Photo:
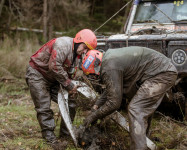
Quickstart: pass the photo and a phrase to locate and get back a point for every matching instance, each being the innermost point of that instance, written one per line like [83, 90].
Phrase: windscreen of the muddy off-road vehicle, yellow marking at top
[148, 12]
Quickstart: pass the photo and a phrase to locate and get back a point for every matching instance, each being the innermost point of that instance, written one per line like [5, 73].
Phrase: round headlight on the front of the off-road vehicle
[179, 57]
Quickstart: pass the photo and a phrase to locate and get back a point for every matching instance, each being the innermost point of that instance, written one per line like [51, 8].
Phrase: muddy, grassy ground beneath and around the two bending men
[19, 128]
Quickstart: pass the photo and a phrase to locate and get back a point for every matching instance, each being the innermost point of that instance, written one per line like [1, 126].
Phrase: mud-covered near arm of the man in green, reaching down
[113, 79]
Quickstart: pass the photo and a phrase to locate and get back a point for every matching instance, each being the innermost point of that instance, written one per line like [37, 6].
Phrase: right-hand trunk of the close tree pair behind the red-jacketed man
[50, 22]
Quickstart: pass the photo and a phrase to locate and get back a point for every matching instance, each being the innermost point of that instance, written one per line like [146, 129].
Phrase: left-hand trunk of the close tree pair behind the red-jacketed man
[45, 20]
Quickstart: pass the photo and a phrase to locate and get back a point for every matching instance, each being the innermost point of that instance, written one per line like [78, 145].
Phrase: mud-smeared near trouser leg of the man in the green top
[144, 103]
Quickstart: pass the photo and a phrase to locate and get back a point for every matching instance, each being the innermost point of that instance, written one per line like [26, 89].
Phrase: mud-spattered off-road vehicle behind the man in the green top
[162, 26]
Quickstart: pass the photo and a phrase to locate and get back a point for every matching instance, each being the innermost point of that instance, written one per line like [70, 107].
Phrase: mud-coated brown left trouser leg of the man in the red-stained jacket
[42, 92]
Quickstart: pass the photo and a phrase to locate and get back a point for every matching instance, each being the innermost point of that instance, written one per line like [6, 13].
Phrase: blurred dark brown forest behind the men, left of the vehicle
[47, 19]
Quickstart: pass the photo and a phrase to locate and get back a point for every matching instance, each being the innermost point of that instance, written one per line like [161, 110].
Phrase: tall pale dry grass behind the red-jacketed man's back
[14, 56]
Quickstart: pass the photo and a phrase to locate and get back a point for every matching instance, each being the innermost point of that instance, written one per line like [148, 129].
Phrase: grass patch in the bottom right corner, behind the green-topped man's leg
[171, 135]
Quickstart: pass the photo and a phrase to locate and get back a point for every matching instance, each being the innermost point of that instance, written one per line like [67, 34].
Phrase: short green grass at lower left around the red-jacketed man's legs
[19, 128]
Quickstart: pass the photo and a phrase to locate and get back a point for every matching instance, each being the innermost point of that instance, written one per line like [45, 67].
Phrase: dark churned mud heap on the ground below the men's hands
[104, 136]
